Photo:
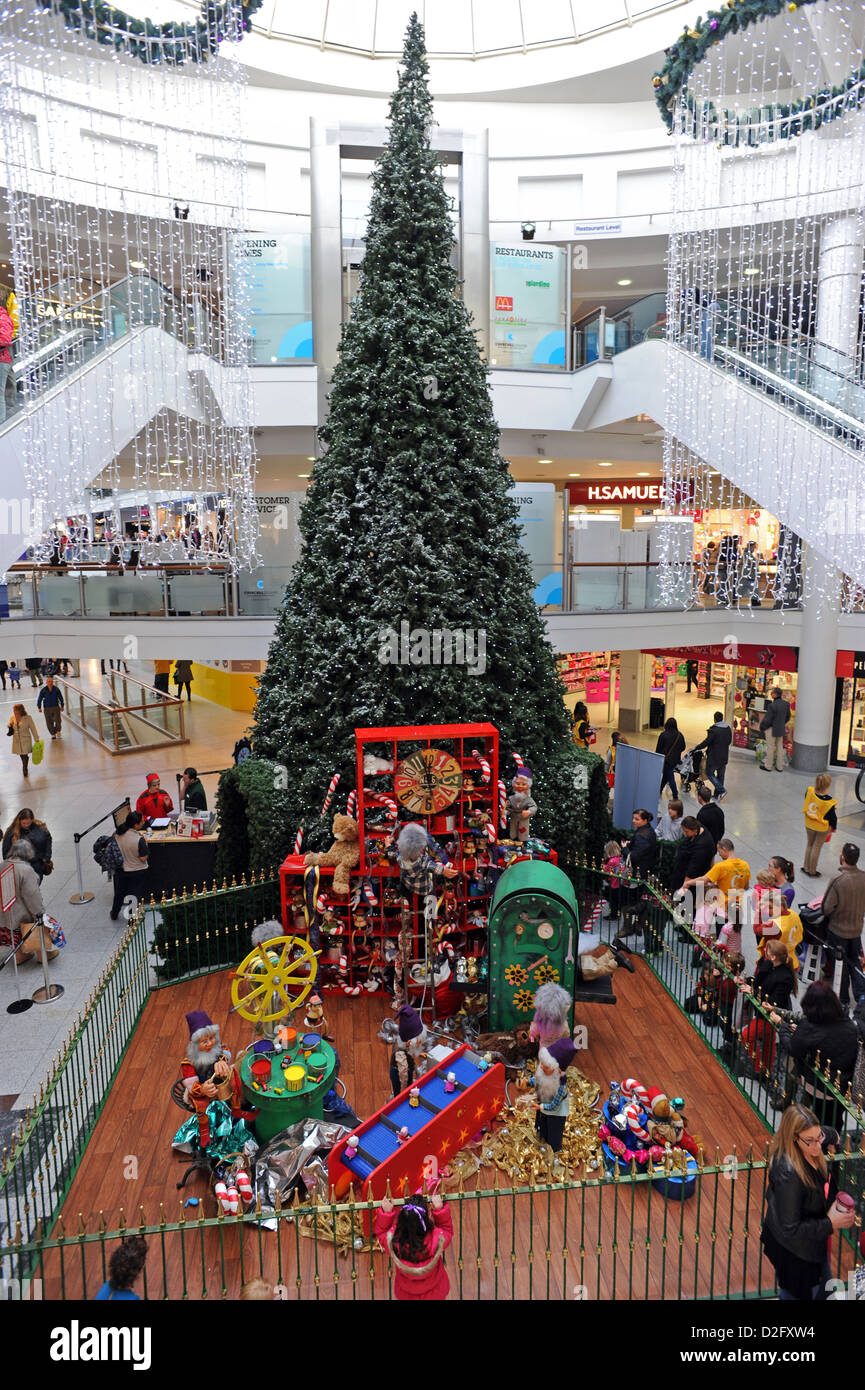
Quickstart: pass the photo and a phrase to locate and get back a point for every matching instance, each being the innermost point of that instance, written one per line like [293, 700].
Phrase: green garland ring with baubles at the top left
[170, 44]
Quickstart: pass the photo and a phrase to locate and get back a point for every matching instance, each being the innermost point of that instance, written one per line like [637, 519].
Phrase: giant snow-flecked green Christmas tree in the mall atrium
[408, 528]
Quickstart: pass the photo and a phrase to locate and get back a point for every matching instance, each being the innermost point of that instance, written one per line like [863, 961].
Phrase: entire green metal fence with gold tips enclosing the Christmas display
[606, 1238]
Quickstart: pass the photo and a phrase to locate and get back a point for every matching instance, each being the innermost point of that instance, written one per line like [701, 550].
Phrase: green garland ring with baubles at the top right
[764, 123]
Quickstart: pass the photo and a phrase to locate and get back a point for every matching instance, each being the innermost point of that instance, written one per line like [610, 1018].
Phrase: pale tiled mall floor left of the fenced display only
[76, 785]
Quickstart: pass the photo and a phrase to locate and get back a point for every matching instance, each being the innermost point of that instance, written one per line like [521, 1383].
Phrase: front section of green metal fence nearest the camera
[601, 1239]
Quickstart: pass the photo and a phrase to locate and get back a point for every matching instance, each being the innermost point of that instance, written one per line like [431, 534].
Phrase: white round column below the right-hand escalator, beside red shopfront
[816, 686]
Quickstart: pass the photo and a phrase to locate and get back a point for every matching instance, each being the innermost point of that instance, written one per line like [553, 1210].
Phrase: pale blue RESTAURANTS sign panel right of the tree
[528, 308]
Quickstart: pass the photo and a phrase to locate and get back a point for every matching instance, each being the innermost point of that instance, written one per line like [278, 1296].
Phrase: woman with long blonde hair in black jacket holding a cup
[802, 1213]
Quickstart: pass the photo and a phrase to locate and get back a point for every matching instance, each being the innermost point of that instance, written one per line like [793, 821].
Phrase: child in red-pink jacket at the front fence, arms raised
[417, 1241]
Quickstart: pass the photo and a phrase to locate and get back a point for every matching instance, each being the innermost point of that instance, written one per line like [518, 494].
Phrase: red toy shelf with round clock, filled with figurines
[444, 778]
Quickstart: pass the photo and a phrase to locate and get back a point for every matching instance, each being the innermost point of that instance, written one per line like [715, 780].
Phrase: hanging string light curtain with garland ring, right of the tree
[766, 297]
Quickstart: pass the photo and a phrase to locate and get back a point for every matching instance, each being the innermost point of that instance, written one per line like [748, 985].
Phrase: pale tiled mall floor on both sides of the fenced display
[79, 783]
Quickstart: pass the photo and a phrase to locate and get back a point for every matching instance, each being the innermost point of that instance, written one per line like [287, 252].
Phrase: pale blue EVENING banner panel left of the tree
[276, 276]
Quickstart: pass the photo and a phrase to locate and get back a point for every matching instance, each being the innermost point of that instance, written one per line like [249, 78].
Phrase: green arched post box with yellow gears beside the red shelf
[533, 939]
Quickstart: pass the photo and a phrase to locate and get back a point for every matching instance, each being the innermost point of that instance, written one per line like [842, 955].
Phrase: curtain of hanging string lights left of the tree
[126, 191]
